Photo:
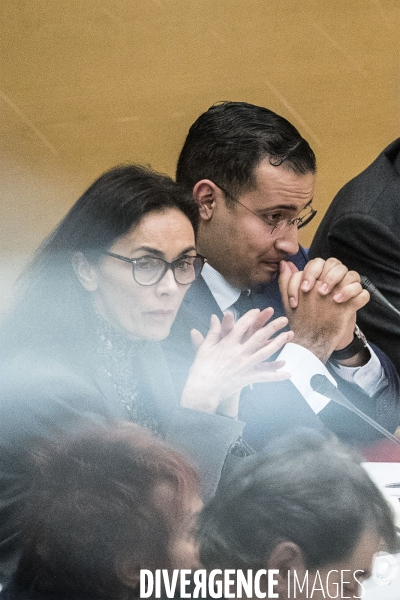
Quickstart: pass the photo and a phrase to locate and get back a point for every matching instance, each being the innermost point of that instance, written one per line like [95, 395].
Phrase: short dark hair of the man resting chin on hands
[227, 142]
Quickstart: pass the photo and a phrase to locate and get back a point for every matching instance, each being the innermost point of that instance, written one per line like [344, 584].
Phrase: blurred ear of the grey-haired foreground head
[286, 557]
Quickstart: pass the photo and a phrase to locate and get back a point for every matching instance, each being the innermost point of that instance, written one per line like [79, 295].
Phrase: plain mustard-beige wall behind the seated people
[87, 84]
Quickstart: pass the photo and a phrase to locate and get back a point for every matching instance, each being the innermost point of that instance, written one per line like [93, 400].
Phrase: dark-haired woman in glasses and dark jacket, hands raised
[81, 344]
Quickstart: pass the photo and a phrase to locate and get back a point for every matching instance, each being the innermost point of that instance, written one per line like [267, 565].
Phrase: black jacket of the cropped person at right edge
[362, 229]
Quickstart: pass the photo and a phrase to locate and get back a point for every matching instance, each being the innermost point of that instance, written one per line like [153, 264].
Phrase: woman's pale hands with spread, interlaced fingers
[232, 356]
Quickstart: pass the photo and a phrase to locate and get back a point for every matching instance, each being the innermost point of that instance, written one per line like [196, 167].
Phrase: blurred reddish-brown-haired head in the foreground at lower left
[102, 506]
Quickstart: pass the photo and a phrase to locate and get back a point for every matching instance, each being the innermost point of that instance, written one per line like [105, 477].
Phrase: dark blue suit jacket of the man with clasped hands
[269, 409]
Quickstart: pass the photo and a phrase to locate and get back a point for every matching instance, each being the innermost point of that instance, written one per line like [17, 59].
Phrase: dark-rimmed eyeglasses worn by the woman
[149, 270]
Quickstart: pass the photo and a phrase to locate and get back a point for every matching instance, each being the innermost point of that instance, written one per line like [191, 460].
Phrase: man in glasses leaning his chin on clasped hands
[252, 176]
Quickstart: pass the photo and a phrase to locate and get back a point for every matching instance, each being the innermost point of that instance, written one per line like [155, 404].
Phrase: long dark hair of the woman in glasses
[51, 308]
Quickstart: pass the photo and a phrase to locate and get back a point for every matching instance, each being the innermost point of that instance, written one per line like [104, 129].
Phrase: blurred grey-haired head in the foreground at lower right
[304, 505]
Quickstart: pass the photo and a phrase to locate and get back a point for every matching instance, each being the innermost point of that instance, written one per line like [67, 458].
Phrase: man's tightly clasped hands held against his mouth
[321, 303]
